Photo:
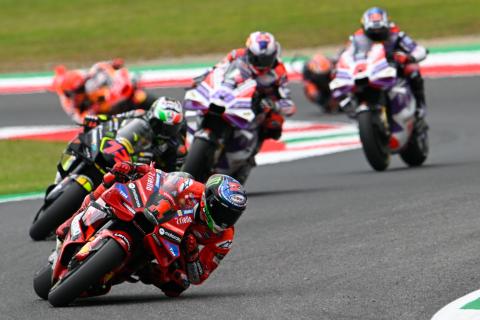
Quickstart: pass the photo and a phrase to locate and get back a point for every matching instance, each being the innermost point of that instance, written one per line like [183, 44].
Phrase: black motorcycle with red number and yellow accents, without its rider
[81, 168]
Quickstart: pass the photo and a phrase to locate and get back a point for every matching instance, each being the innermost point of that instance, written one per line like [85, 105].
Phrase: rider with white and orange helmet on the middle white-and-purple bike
[260, 60]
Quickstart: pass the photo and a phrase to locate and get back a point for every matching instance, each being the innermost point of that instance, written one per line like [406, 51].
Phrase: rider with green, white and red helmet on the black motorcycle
[155, 135]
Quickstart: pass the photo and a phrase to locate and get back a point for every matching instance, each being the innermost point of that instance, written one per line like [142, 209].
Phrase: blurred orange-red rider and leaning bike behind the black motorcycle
[82, 93]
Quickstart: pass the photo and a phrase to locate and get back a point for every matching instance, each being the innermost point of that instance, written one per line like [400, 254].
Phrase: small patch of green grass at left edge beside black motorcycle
[28, 165]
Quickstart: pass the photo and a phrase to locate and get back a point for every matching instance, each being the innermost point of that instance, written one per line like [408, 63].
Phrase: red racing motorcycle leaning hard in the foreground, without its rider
[113, 238]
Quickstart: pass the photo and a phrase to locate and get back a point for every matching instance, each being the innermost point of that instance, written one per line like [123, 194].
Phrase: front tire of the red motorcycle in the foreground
[99, 263]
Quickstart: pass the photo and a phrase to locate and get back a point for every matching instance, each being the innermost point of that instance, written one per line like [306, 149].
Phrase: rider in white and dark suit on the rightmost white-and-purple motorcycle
[376, 27]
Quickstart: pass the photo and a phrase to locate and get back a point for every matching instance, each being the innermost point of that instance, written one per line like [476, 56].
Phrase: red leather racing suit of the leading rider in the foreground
[198, 262]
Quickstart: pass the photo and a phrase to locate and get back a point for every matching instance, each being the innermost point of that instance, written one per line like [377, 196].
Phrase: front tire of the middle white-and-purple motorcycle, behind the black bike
[198, 161]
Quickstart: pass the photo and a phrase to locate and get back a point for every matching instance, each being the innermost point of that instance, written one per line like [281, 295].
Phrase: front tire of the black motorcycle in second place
[58, 212]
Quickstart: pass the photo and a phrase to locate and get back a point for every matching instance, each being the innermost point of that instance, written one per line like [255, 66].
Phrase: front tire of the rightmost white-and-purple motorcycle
[374, 149]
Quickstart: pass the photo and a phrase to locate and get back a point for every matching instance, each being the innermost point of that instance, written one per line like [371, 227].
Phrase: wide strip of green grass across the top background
[35, 35]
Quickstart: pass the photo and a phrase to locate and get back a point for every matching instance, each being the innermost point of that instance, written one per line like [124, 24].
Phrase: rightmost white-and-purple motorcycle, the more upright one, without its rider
[383, 104]
